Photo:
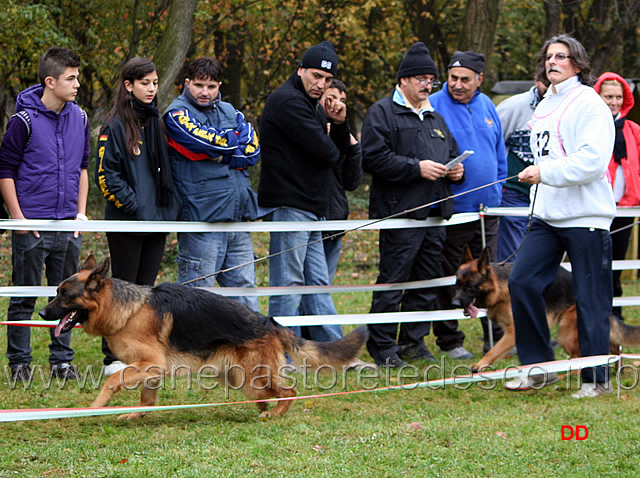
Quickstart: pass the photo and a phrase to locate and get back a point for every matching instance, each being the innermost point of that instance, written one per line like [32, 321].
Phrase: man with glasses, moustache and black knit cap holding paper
[405, 146]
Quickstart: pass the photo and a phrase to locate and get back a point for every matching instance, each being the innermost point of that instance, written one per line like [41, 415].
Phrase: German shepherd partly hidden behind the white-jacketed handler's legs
[482, 284]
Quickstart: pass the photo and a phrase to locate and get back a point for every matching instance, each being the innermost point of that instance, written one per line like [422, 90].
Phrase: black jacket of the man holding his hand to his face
[297, 154]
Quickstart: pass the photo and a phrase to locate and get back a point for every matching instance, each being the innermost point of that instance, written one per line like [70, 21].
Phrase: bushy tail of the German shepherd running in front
[315, 354]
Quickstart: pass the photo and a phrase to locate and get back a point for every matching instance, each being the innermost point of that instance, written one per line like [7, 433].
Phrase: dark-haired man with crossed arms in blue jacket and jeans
[211, 149]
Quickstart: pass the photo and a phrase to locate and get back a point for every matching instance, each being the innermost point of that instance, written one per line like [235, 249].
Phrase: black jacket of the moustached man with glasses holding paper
[394, 141]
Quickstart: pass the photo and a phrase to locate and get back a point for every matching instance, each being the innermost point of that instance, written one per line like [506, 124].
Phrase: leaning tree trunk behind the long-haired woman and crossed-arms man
[173, 47]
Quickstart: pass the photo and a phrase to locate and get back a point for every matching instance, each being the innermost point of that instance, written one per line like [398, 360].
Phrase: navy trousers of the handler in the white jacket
[590, 253]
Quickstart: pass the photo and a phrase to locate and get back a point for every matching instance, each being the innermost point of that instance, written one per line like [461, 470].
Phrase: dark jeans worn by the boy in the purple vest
[57, 253]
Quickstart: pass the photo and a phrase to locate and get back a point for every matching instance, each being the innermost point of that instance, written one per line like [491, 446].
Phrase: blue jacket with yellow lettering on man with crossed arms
[211, 148]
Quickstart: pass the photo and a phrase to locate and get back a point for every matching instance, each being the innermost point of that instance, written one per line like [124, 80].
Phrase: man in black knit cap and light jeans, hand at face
[298, 154]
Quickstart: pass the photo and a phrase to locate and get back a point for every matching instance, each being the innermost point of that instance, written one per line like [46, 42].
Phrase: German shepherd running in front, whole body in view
[172, 328]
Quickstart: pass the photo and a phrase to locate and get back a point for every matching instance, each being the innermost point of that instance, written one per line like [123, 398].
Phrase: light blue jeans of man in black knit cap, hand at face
[306, 265]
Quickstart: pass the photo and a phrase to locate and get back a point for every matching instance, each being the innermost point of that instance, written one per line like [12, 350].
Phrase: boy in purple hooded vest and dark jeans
[43, 175]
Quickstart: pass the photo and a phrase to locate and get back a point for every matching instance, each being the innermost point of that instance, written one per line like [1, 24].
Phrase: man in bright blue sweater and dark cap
[474, 122]
